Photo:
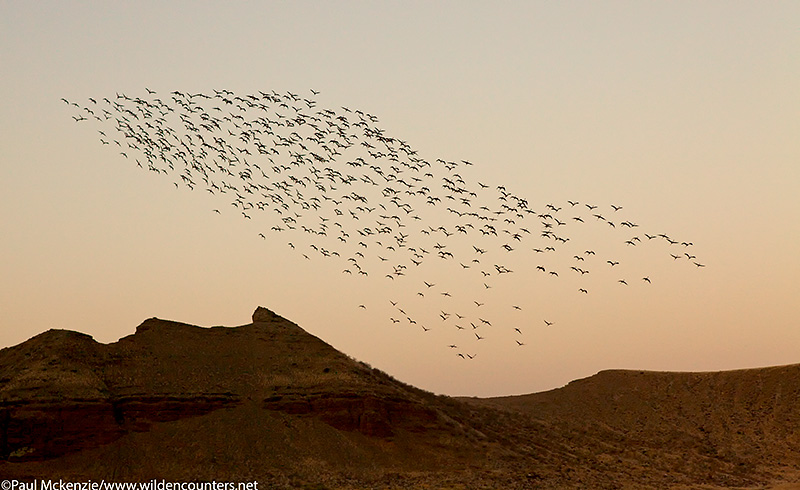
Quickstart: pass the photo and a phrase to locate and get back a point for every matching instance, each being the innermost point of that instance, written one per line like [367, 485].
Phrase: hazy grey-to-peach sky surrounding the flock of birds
[685, 114]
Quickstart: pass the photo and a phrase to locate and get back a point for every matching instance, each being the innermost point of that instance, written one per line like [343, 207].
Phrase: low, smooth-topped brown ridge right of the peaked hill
[748, 417]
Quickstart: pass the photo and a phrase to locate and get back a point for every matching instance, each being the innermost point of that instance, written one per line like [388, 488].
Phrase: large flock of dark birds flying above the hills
[337, 186]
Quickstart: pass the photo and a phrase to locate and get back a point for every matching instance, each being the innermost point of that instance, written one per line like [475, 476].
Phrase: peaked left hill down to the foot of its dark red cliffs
[62, 392]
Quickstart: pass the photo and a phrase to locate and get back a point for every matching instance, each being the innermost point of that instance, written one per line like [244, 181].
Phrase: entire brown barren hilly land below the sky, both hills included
[270, 402]
